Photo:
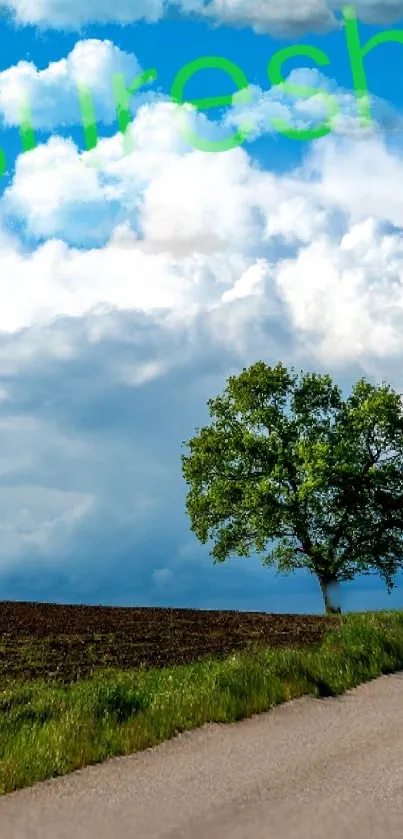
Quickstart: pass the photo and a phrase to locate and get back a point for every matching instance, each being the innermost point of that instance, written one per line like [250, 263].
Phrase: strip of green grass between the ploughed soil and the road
[50, 729]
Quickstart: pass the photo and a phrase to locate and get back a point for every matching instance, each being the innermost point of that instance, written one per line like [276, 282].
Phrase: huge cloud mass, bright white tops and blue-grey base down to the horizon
[109, 351]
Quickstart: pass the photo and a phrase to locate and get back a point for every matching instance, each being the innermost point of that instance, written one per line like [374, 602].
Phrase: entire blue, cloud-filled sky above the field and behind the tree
[134, 280]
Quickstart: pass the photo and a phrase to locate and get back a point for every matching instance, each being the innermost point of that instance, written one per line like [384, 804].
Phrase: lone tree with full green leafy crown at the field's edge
[288, 461]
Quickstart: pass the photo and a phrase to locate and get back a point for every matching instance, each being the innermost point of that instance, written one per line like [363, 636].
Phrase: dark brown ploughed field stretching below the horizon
[68, 642]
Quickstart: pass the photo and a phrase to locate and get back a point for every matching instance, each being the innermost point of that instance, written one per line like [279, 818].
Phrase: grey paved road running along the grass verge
[308, 769]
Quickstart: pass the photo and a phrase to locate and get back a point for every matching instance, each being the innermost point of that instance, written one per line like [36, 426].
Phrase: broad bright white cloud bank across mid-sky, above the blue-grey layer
[197, 230]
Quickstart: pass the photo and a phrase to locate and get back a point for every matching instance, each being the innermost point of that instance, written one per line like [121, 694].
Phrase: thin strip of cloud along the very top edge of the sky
[263, 16]
